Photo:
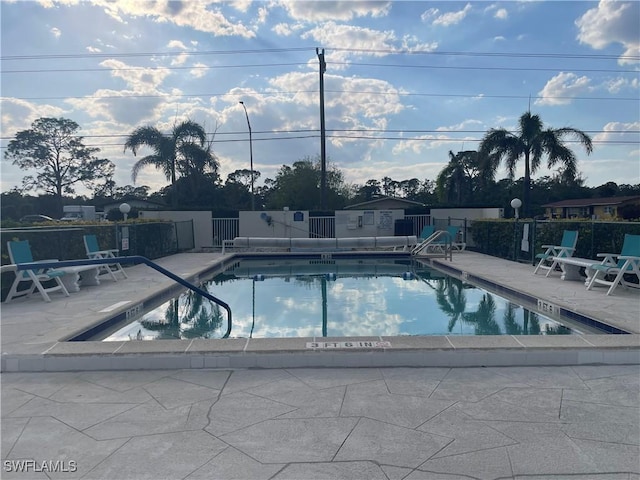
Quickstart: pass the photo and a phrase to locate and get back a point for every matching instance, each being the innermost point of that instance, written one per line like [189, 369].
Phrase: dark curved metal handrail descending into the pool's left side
[132, 259]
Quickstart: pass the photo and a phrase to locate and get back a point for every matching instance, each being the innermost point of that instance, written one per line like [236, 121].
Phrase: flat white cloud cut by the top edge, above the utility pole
[334, 10]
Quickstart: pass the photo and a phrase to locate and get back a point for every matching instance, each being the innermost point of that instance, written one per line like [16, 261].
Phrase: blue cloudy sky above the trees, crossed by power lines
[405, 81]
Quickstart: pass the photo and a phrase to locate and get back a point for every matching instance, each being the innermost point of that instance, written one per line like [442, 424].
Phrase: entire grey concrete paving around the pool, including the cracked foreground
[160, 421]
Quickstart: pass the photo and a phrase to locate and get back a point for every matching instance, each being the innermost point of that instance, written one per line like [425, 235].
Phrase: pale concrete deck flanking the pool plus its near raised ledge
[33, 332]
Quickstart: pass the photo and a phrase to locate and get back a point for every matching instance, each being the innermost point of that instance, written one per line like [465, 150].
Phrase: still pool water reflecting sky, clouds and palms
[274, 298]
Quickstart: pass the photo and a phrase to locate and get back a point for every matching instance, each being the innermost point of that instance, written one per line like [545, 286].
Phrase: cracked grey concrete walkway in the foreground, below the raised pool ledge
[565, 423]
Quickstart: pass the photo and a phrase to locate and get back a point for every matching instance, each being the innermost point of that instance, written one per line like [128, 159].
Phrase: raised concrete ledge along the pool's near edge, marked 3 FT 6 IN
[409, 351]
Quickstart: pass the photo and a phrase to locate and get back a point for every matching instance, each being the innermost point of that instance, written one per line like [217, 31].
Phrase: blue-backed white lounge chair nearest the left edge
[20, 252]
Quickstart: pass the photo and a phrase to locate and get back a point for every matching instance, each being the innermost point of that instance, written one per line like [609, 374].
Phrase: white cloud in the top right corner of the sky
[612, 22]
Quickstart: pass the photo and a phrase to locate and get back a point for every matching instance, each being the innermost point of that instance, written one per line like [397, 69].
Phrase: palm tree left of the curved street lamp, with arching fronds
[168, 150]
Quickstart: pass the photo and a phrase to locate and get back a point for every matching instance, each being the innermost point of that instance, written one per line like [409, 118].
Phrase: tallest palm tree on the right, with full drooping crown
[532, 142]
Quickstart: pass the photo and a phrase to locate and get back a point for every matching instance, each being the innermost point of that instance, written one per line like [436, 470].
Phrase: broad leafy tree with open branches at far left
[52, 147]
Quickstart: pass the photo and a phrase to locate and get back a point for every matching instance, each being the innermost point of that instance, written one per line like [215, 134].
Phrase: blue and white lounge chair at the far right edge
[627, 263]
